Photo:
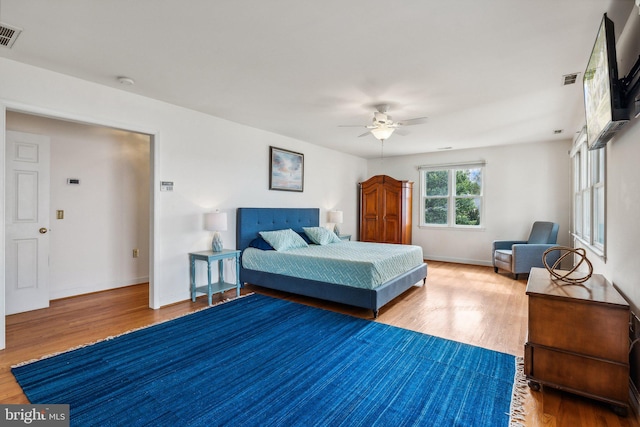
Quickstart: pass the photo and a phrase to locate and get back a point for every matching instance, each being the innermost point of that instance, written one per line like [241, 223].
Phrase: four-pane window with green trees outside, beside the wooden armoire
[451, 195]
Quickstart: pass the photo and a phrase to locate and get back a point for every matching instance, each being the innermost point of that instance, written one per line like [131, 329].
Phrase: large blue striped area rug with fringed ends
[261, 361]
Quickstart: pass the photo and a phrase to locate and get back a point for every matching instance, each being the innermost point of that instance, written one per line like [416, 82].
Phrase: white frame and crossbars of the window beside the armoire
[451, 197]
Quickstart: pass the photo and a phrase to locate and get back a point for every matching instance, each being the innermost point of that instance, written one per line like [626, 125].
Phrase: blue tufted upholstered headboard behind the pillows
[250, 221]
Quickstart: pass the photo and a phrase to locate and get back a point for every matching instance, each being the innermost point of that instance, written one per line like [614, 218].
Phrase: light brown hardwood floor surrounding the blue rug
[464, 303]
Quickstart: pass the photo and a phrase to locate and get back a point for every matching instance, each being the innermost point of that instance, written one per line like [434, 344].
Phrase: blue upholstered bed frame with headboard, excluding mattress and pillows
[252, 221]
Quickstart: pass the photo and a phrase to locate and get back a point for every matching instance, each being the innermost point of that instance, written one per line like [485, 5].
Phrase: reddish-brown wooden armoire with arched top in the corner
[385, 210]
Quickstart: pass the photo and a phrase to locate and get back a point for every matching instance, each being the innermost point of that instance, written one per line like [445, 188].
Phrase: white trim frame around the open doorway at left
[154, 297]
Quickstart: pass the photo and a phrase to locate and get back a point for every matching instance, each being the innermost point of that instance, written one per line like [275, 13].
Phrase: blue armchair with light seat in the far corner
[518, 256]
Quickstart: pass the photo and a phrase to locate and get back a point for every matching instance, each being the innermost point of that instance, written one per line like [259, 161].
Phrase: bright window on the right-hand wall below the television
[589, 195]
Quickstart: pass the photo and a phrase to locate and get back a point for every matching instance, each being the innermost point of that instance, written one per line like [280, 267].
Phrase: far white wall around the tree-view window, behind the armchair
[523, 183]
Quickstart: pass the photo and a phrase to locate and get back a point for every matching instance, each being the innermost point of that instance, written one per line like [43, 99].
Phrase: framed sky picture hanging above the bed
[286, 170]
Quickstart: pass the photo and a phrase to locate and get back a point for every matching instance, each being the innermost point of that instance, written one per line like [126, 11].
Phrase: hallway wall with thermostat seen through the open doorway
[106, 216]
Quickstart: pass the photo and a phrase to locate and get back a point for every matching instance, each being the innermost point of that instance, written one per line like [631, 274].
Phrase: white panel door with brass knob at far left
[27, 222]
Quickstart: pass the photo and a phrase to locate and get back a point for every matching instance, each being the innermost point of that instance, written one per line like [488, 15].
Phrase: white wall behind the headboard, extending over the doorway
[214, 163]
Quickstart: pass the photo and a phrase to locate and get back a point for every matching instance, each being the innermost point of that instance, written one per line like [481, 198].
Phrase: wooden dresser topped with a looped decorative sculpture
[578, 338]
